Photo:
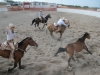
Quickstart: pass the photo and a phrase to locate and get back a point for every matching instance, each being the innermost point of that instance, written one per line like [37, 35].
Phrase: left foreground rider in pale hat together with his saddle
[10, 41]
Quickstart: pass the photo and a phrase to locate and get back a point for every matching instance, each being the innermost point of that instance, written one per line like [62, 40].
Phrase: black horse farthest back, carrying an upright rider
[37, 20]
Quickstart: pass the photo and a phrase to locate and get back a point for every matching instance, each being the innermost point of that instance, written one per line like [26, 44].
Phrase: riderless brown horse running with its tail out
[77, 46]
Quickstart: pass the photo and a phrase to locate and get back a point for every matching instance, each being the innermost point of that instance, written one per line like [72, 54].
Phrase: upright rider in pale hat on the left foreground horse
[10, 39]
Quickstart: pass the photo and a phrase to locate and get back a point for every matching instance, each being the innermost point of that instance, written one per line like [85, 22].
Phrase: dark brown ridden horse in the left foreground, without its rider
[18, 54]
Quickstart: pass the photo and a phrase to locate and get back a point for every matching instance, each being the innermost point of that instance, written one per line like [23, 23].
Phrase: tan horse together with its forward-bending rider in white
[59, 27]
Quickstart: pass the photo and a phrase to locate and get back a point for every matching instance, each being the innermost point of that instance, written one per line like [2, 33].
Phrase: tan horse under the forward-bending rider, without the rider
[53, 28]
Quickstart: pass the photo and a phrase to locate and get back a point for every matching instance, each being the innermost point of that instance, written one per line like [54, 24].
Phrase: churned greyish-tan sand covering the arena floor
[42, 61]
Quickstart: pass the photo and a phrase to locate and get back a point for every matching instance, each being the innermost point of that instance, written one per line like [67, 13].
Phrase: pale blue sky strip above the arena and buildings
[90, 3]
